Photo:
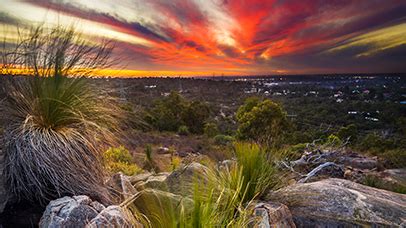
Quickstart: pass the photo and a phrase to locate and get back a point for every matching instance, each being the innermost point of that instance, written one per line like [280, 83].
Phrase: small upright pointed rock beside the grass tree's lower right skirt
[120, 187]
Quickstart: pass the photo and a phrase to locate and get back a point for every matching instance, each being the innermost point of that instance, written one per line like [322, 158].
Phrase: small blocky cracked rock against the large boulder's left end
[274, 215]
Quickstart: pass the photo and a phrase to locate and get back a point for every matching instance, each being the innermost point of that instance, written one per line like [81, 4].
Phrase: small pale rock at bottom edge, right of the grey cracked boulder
[112, 216]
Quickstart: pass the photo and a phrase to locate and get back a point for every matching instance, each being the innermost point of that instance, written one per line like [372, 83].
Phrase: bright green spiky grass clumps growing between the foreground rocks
[223, 200]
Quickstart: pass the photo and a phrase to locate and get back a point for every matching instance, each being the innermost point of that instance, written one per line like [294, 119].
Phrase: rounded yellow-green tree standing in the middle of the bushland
[265, 122]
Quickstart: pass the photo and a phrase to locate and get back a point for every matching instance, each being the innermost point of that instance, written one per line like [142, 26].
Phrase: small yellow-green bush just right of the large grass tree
[119, 159]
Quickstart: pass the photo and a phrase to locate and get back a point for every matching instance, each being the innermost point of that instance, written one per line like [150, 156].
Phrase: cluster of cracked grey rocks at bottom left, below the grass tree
[81, 211]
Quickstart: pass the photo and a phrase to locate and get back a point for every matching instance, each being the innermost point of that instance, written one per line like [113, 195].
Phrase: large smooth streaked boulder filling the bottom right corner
[341, 203]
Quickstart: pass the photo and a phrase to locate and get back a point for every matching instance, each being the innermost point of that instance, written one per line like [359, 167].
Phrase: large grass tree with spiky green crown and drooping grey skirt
[56, 123]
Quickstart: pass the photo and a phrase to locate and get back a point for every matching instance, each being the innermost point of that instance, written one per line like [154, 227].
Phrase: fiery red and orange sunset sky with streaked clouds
[231, 37]
